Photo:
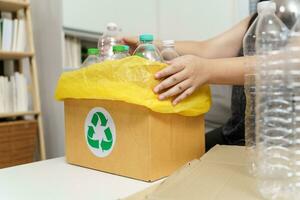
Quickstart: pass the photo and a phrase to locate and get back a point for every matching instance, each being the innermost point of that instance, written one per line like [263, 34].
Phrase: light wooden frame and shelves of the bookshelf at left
[13, 6]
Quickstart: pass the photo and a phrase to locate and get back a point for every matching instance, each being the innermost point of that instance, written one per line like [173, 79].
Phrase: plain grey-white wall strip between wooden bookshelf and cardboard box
[47, 30]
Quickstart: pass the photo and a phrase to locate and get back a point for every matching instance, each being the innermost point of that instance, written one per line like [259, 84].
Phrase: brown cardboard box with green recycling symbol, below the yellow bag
[140, 144]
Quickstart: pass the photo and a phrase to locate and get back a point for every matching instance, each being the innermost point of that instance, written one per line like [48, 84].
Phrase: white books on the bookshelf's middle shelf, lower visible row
[13, 93]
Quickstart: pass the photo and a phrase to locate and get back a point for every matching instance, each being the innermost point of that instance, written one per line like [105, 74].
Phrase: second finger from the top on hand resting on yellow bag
[170, 81]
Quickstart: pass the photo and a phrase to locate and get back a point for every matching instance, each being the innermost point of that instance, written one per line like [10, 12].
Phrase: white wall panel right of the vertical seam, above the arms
[194, 19]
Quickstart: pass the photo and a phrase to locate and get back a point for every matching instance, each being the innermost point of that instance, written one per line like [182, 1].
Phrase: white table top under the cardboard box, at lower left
[55, 179]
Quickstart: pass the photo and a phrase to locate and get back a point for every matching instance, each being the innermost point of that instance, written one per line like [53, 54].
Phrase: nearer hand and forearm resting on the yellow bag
[185, 74]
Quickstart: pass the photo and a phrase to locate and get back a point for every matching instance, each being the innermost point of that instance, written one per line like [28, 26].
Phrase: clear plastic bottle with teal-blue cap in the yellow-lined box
[146, 49]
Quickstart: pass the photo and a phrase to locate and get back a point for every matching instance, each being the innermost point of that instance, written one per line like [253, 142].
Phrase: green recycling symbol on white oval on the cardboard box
[100, 132]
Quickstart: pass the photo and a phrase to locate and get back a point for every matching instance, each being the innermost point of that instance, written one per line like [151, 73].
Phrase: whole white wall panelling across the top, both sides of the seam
[178, 19]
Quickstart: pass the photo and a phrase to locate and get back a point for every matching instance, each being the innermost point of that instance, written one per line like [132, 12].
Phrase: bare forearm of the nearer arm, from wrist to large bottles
[228, 71]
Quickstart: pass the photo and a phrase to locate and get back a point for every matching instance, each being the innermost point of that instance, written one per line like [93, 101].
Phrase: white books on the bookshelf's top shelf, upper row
[12, 32]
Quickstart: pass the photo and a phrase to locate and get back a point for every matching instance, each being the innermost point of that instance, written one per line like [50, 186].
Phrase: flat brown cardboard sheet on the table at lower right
[220, 174]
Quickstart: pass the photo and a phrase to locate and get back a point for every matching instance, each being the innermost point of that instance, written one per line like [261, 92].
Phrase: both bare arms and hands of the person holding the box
[186, 73]
